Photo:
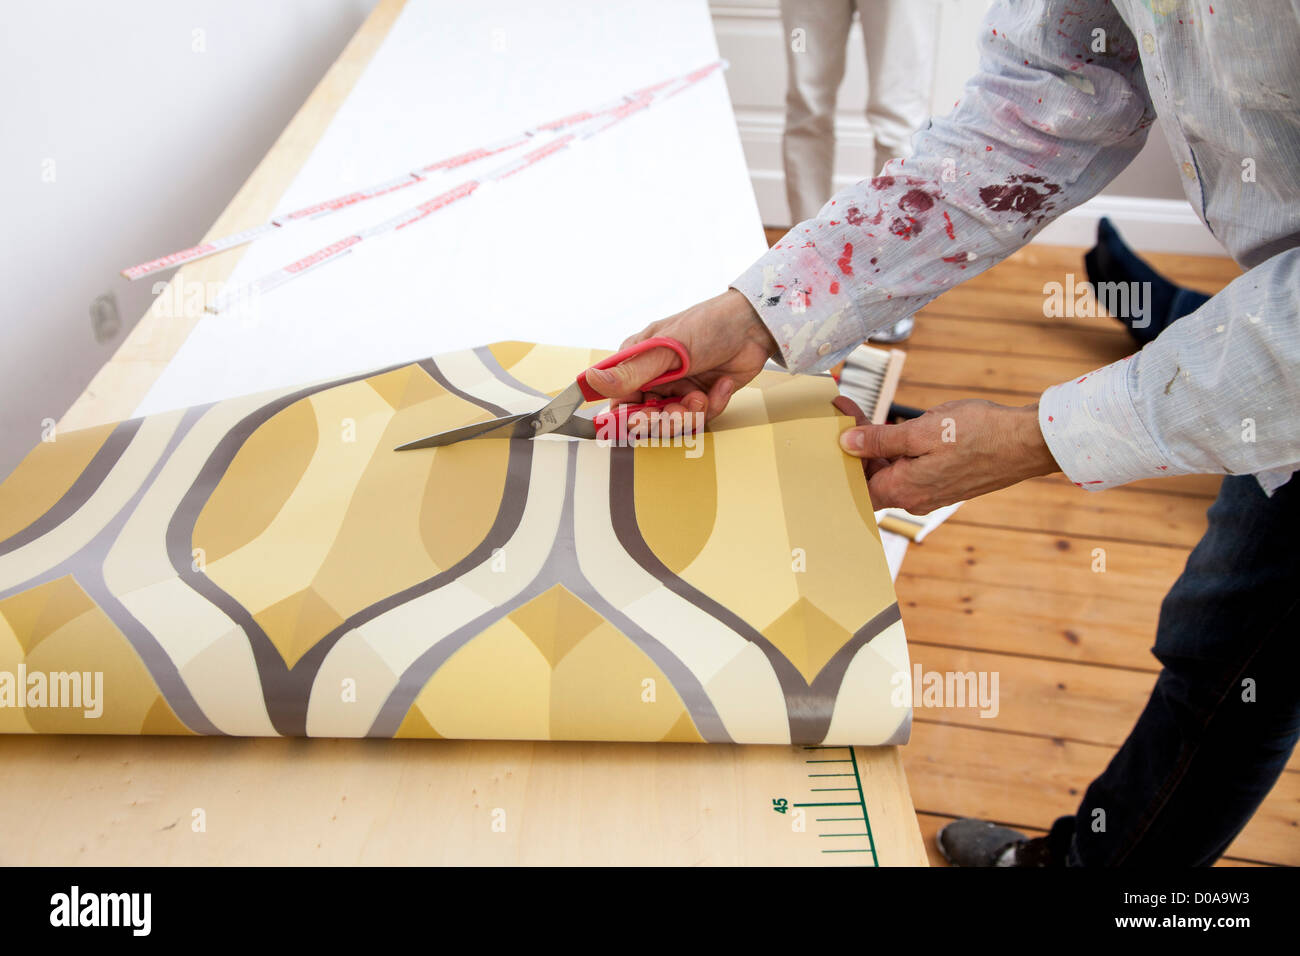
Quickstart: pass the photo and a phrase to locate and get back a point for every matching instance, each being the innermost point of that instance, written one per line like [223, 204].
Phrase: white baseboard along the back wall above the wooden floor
[1150, 226]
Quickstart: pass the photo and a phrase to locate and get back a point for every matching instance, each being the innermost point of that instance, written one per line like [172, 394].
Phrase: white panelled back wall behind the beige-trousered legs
[1147, 200]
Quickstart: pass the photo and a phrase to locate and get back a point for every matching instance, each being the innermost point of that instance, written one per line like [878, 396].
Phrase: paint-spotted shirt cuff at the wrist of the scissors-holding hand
[813, 330]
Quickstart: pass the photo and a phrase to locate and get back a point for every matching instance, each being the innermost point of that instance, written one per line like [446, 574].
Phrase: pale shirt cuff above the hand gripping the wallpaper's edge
[1093, 430]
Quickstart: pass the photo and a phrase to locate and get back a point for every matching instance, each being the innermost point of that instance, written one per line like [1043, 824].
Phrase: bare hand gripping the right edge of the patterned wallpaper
[955, 452]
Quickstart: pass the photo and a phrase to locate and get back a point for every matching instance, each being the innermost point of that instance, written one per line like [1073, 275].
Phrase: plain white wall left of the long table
[146, 129]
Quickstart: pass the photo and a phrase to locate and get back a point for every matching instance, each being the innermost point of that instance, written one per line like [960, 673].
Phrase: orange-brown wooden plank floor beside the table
[1008, 586]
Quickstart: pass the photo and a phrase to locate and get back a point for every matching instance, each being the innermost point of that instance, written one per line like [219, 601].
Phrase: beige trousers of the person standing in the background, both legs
[900, 38]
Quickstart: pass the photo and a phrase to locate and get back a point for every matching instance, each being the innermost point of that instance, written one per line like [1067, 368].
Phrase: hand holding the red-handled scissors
[727, 344]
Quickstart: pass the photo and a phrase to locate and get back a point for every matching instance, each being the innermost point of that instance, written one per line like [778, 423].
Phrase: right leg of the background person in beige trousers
[900, 38]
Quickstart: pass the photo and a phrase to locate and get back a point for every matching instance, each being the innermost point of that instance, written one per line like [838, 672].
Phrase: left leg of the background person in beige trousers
[817, 34]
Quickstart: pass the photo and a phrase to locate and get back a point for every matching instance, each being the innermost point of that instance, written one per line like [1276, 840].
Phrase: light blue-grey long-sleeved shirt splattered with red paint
[1063, 102]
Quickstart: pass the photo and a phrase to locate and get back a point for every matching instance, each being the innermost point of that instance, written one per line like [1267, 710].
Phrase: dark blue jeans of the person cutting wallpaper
[1225, 713]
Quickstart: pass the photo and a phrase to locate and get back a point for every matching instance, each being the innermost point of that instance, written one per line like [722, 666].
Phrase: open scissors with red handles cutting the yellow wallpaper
[560, 416]
